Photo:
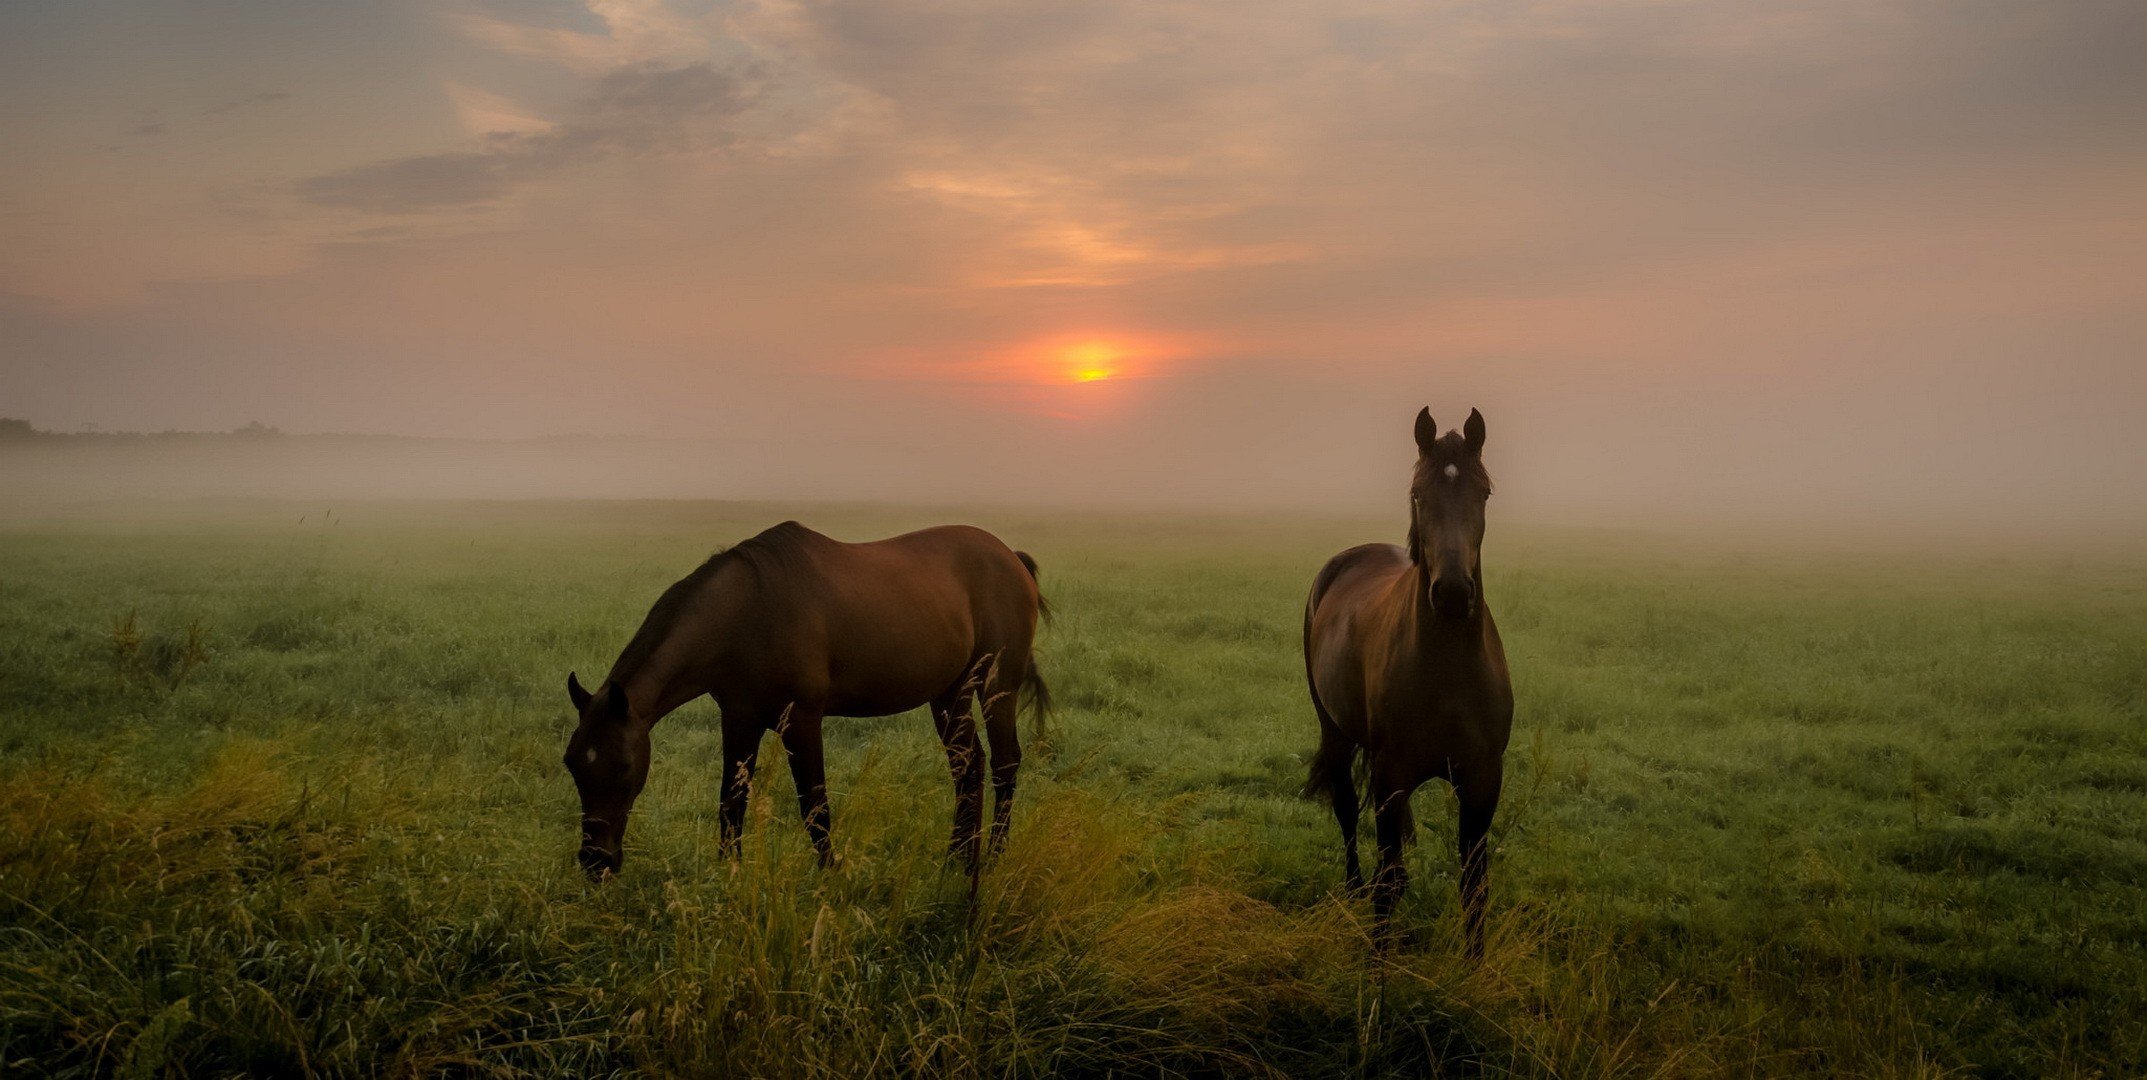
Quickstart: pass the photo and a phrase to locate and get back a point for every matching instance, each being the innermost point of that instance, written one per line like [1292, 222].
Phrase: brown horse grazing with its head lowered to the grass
[791, 628]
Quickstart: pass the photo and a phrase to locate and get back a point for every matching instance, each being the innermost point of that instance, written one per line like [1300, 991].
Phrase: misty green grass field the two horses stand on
[280, 793]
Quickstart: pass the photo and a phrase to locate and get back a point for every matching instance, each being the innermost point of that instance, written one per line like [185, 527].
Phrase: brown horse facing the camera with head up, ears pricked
[1405, 665]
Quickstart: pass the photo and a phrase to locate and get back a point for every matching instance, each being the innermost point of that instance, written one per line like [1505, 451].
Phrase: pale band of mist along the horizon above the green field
[1354, 471]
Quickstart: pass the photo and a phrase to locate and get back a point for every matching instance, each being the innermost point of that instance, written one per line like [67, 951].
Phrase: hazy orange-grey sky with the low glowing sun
[1830, 254]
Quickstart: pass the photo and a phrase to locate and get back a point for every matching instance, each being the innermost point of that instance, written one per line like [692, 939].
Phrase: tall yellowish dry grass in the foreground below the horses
[272, 920]
